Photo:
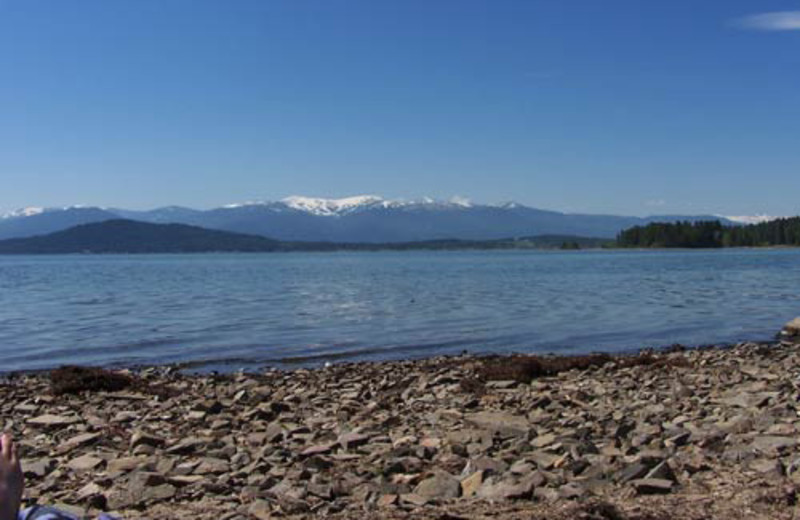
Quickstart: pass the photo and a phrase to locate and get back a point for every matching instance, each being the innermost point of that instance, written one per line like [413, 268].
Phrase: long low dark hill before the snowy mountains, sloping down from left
[128, 236]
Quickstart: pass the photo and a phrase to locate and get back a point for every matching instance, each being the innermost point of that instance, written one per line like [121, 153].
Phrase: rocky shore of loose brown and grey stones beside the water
[680, 433]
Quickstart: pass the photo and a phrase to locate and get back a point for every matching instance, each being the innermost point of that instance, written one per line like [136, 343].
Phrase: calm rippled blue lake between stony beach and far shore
[235, 311]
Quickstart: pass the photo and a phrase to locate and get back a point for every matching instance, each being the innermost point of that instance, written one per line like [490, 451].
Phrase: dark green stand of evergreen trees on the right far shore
[780, 232]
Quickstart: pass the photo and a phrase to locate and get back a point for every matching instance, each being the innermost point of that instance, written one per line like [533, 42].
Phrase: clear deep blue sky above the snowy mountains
[619, 106]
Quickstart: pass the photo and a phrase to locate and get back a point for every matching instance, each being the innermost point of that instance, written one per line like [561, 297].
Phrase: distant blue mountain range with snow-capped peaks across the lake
[364, 219]
